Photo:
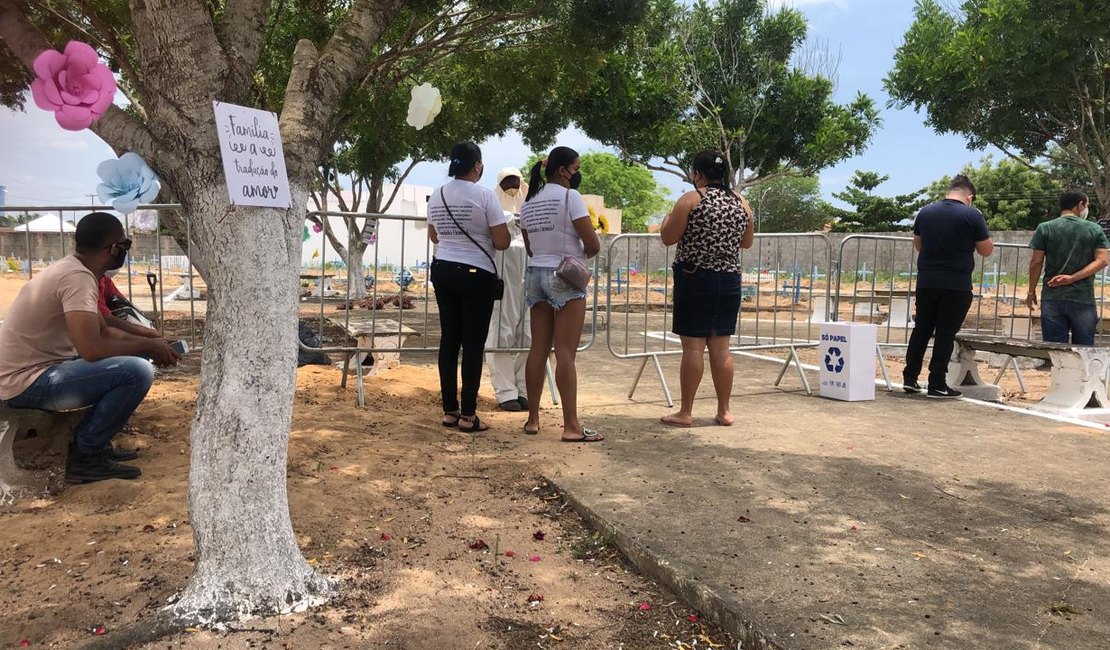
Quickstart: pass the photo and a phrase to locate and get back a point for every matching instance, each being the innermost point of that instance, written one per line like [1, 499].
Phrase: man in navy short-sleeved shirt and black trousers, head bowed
[947, 235]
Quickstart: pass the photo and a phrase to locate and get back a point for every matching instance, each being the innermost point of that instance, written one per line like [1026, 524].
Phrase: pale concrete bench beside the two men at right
[1079, 373]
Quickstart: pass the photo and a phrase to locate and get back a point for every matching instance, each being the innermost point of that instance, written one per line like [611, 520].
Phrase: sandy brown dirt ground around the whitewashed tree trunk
[441, 540]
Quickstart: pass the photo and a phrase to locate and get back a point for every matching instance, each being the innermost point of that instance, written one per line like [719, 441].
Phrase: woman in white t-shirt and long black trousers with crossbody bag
[467, 225]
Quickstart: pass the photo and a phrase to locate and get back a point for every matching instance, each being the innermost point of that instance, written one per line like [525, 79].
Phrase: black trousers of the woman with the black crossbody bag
[465, 296]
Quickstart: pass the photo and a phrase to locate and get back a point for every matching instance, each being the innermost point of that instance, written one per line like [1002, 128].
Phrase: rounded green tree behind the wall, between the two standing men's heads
[1012, 196]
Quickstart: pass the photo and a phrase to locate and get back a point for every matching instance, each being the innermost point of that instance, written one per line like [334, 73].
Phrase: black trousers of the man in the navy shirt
[939, 314]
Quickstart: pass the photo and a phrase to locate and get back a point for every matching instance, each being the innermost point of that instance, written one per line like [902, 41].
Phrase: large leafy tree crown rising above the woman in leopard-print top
[721, 76]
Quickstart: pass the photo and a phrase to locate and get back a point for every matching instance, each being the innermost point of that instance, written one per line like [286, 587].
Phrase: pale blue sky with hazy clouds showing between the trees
[43, 165]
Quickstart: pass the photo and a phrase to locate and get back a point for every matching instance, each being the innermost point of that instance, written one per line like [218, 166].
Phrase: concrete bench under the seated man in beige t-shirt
[49, 429]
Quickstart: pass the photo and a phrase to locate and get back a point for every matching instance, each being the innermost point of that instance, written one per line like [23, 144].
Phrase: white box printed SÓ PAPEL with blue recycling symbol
[846, 358]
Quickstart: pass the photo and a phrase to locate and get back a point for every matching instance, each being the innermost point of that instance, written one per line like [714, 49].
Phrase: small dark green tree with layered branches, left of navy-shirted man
[874, 214]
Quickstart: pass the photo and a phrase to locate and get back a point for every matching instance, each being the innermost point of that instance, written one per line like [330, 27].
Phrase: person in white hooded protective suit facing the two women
[507, 328]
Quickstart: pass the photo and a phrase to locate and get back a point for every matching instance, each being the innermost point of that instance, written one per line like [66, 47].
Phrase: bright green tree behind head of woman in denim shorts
[630, 188]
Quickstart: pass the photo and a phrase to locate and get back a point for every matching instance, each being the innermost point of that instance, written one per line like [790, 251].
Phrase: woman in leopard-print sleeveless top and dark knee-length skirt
[711, 226]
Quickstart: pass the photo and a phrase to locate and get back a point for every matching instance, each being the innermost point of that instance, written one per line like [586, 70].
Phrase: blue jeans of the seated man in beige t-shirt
[114, 388]
